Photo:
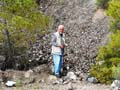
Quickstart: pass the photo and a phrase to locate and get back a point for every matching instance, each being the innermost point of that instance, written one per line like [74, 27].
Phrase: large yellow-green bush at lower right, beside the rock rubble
[107, 65]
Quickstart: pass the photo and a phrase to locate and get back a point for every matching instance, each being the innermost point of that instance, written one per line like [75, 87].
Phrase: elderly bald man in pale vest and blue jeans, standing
[58, 44]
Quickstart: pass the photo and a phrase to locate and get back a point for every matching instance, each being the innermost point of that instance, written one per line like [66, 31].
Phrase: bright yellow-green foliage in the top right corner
[114, 13]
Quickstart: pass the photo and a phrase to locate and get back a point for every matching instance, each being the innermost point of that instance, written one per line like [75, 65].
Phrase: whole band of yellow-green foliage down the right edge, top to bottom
[107, 67]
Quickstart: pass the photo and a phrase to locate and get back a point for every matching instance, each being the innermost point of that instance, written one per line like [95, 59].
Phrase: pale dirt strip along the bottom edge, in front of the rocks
[75, 86]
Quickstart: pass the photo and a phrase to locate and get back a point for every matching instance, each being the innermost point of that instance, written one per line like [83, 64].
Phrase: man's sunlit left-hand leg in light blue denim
[56, 60]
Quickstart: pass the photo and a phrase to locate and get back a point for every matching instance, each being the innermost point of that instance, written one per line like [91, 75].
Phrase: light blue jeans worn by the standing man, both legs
[57, 60]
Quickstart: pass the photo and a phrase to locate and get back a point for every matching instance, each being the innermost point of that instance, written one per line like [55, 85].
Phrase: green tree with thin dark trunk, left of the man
[20, 22]
